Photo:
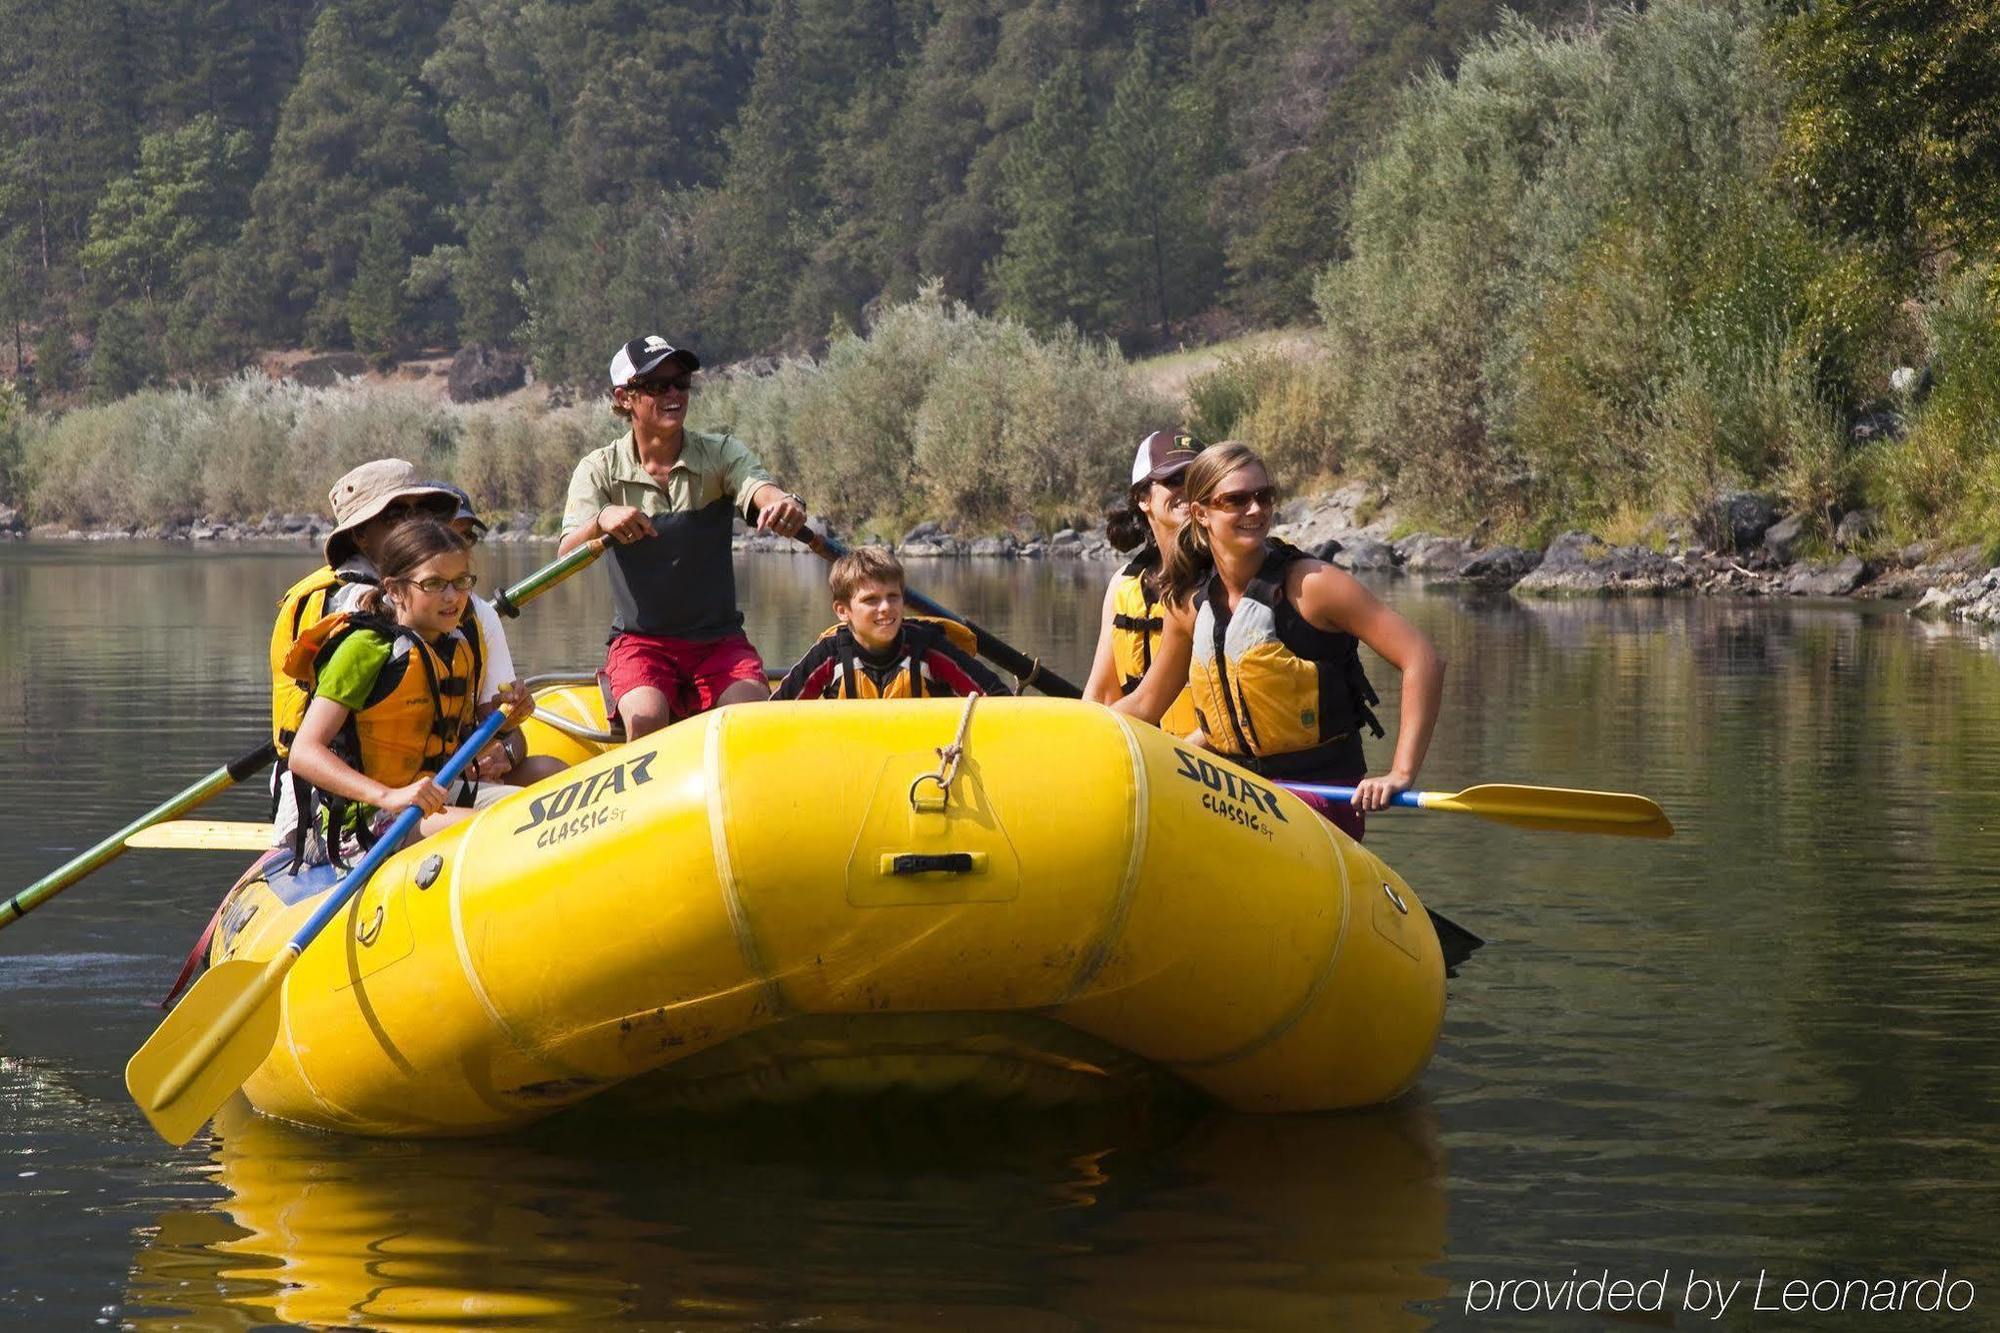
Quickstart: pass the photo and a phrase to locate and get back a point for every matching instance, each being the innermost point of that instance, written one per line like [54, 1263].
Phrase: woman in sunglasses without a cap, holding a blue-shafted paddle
[1269, 643]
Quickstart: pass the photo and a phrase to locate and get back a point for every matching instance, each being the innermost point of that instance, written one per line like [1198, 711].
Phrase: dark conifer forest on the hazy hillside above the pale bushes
[185, 181]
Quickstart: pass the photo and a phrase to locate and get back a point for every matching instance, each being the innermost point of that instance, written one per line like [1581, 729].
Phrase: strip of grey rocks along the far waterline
[1743, 549]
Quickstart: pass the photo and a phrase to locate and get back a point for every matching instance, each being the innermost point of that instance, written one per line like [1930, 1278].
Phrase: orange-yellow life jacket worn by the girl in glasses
[417, 724]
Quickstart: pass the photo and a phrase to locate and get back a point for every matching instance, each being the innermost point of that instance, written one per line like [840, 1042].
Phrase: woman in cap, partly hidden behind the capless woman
[1129, 633]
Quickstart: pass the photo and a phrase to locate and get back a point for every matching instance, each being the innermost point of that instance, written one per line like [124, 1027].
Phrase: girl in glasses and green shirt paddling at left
[389, 700]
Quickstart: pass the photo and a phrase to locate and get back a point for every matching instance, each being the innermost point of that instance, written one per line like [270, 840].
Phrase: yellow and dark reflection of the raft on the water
[871, 1214]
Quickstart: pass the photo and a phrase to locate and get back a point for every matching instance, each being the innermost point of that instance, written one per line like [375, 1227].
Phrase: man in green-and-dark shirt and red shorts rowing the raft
[667, 497]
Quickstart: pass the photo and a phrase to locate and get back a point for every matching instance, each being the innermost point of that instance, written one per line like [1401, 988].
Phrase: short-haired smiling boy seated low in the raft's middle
[879, 653]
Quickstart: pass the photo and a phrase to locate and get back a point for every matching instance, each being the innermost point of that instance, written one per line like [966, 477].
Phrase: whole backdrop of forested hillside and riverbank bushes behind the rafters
[1569, 267]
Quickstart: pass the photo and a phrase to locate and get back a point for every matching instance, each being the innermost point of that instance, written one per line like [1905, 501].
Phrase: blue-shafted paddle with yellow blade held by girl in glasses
[229, 1022]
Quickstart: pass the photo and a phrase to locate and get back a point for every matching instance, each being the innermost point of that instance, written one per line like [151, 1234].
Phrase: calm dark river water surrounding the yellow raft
[1767, 1048]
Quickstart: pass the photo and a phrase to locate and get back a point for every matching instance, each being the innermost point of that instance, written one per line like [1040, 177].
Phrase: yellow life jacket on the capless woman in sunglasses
[1267, 682]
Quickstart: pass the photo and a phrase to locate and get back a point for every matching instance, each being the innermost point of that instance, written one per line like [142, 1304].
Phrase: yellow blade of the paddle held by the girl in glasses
[209, 1046]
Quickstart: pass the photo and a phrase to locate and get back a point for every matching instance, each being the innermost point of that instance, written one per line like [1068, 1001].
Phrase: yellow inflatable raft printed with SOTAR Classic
[779, 898]
